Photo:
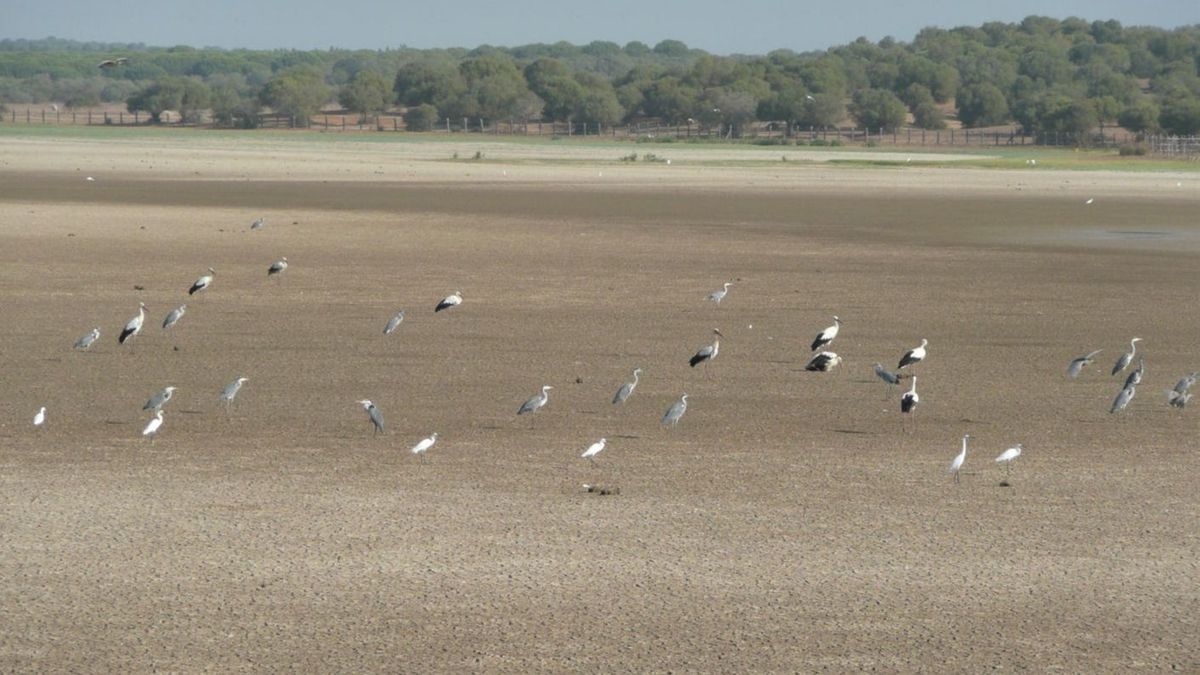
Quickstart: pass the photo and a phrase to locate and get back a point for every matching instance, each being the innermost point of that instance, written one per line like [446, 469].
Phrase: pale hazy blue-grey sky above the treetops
[752, 27]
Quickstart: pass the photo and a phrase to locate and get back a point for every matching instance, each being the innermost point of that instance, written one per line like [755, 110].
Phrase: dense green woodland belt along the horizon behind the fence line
[1042, 74]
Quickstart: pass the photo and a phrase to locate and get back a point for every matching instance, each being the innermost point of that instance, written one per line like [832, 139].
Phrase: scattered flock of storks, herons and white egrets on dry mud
[823, 361]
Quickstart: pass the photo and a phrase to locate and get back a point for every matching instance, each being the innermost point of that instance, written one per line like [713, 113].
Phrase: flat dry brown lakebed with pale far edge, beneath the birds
[791, 522]
